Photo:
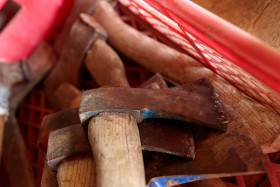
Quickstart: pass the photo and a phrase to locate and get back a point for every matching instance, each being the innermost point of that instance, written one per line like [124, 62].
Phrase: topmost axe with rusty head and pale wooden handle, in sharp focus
[116, 112]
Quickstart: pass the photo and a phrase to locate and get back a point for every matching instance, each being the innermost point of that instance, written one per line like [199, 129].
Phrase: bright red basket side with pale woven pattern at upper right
[229, 51]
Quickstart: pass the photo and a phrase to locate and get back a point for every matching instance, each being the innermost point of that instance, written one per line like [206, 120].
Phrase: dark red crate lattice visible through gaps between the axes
[34, 108]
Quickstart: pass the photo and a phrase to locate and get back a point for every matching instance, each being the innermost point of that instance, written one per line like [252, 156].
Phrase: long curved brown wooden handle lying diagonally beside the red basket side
[144, 50]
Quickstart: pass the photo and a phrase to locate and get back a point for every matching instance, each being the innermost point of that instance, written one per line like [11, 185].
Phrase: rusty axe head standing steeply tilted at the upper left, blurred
[67, 69]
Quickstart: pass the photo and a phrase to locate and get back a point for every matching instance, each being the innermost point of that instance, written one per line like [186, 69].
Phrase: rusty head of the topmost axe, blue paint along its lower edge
[194, 102]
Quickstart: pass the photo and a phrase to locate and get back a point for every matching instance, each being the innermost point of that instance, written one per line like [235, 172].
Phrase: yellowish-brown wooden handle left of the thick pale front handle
[77, 172]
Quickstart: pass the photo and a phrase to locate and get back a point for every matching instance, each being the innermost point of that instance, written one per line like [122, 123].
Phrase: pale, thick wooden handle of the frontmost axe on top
[115, 142]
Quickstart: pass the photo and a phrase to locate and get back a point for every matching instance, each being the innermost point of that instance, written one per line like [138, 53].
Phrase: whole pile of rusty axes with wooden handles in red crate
[177, 127]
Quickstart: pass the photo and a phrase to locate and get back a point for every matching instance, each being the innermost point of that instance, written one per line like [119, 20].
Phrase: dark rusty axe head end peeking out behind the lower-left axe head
[56, 121]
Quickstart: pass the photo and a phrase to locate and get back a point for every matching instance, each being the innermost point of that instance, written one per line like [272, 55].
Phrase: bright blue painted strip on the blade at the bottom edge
[176, 180]
